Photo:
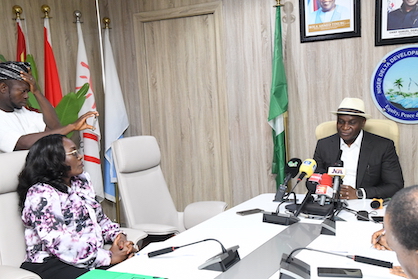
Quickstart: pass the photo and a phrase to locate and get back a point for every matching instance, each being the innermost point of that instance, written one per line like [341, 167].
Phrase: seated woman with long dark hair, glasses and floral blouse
[65, 227]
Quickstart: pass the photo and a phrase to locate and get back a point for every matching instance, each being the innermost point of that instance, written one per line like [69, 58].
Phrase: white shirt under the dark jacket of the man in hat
[350, 158]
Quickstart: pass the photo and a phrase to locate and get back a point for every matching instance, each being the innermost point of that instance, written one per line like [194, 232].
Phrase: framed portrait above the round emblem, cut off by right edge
[396, 22]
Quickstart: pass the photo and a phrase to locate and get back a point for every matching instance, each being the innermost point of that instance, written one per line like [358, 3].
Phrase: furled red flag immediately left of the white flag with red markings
[52, 82]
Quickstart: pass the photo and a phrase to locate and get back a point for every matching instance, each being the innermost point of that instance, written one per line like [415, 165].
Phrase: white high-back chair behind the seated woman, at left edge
[12, 240]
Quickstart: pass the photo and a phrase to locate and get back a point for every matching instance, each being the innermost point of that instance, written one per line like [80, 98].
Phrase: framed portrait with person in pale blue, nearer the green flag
[329, 19]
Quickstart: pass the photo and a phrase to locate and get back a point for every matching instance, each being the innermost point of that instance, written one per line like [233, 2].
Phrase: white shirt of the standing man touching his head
[15, 124]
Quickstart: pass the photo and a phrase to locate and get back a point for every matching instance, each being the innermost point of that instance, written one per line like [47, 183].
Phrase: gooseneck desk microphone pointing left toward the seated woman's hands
[221, 262]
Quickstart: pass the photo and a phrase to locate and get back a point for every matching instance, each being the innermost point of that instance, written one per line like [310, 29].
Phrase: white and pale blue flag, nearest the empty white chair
[116, 118]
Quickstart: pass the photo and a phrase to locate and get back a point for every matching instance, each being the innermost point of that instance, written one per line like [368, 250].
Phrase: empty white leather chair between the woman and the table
[144, 194]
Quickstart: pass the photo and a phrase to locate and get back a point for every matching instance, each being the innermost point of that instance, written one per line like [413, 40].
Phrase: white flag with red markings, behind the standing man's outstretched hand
[89, 140]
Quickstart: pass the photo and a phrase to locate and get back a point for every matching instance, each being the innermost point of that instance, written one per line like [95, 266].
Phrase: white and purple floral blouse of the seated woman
[70, 226]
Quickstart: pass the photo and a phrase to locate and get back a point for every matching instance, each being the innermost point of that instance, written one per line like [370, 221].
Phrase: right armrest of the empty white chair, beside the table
[198, 212]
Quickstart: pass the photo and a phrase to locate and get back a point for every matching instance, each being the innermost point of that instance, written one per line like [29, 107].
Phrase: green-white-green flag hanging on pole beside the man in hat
[278, 103]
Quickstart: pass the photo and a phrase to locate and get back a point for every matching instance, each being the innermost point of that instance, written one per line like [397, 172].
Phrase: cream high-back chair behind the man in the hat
[382, 127]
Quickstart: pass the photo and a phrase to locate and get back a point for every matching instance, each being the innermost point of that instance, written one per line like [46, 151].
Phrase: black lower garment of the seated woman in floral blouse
[53, 268]
